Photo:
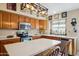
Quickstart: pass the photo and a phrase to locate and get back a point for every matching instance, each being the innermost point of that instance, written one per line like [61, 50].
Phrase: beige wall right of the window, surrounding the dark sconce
[70, 32]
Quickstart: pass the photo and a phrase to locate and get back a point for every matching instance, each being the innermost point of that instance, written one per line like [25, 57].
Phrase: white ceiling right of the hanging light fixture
[54, 8]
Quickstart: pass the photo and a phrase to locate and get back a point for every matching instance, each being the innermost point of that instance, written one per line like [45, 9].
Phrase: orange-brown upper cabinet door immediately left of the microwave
[14, 21]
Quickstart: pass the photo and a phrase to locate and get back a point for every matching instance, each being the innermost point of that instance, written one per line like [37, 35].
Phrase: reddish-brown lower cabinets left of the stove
[3, 51]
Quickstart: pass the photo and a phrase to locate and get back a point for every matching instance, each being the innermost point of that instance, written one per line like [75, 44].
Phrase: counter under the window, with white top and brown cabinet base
[72, 46]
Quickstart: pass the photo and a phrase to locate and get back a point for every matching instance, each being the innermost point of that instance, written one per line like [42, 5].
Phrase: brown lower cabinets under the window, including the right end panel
[72, 46]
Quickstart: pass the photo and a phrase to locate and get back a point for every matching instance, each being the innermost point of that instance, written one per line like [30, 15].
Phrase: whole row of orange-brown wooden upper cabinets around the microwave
[12, 21]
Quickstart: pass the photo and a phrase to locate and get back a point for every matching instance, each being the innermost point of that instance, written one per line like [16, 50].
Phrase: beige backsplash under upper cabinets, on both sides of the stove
[4, 33]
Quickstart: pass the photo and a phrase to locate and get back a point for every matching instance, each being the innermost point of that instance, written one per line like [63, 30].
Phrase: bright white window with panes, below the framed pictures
[59, 27]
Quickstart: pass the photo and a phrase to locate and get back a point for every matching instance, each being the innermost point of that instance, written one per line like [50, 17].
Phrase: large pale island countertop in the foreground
[30, 48]
